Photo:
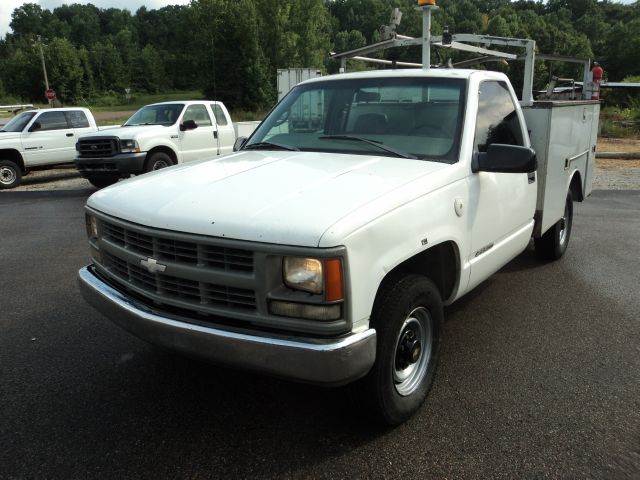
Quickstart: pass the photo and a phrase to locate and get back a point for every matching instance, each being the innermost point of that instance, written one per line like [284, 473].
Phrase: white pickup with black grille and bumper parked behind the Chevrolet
[158, 136]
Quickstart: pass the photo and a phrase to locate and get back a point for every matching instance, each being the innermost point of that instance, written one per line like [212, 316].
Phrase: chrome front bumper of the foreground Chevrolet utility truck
[329, 362]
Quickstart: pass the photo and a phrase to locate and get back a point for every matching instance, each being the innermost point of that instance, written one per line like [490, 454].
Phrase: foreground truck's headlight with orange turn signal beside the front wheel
[315, 275]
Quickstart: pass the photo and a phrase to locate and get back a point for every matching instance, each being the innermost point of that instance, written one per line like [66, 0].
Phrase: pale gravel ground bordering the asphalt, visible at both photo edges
[609, 175]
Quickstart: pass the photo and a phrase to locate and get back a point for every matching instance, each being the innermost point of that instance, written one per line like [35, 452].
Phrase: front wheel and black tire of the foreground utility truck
[408, 318]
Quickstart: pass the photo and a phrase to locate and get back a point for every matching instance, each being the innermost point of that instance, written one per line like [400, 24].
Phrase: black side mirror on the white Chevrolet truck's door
[501, 158]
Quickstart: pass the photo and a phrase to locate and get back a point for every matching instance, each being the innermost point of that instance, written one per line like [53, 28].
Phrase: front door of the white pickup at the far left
[49, 139]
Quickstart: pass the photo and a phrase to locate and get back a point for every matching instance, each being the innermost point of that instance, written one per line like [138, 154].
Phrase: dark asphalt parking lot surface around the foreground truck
[539, 375]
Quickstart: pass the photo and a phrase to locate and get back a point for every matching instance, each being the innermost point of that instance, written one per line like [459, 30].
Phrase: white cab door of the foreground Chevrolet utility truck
[501, 205]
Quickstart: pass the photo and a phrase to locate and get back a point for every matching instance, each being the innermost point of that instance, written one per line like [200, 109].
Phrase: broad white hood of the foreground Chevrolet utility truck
[289, 198]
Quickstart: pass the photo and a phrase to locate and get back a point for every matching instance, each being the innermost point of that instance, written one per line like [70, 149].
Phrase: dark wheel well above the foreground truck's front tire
[440, 263]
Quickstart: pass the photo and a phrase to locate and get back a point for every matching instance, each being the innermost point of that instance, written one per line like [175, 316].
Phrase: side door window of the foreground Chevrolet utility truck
[497, 120]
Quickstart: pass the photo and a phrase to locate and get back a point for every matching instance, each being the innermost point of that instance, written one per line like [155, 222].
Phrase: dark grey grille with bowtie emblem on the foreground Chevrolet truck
[191, 273]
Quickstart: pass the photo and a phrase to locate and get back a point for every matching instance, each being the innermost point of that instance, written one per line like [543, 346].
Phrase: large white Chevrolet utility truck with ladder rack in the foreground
[324, 252]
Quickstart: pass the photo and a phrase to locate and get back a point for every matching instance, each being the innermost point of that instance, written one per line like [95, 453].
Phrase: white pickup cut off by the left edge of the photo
[39, 139]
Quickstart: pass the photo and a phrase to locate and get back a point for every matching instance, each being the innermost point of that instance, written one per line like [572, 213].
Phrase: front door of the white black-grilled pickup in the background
[199, 142]
